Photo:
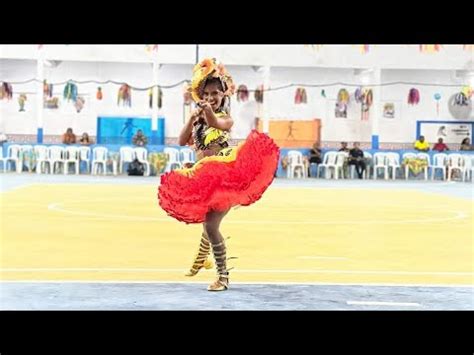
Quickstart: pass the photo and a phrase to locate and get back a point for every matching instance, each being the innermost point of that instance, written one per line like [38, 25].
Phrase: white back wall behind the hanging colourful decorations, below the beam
[281, 103]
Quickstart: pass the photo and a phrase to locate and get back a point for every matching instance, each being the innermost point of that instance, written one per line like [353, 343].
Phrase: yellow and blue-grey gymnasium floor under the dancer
[82, 242]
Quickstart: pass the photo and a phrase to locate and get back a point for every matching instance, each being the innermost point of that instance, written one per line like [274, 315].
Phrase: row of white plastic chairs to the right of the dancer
[386, 162]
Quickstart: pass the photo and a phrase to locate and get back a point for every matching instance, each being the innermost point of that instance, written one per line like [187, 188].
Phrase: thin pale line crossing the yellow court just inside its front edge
[281, 271]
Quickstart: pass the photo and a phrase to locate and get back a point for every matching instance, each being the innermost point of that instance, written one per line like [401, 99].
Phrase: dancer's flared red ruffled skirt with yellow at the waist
[236, 176]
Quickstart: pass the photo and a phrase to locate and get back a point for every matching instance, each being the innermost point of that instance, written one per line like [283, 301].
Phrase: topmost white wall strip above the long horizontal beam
[334, 56]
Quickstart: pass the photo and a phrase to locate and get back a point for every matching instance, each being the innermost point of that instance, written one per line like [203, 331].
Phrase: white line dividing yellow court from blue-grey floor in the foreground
[283, 283]
